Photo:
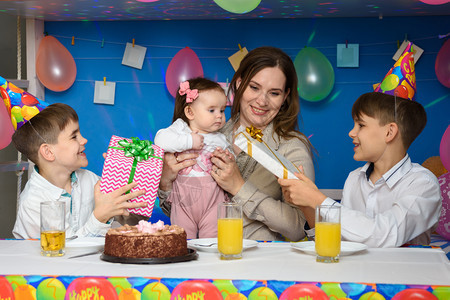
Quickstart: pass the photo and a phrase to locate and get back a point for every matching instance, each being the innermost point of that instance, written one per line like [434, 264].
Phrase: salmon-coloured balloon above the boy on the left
[55, 66]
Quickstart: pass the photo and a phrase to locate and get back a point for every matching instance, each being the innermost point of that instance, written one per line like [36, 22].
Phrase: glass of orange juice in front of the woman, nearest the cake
[229, 230]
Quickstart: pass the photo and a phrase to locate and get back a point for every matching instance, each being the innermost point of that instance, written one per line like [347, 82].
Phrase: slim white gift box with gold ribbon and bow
[251, 142]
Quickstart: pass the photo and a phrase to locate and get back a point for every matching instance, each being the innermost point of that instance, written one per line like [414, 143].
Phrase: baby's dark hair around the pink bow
[199, 83]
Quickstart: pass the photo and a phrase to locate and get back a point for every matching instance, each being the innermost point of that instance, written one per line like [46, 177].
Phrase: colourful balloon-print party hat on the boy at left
[21, 105]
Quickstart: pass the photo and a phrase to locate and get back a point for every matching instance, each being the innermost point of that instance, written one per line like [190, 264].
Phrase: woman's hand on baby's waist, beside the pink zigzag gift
[173, 163]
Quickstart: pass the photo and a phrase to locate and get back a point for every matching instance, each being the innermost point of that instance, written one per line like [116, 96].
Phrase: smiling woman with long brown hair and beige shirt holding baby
[265, 96]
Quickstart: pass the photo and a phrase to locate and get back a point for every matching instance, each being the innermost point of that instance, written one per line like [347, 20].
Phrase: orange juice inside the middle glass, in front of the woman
[229, 236]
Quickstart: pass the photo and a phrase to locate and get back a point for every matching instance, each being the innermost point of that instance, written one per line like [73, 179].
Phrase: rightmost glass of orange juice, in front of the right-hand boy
[328, 233]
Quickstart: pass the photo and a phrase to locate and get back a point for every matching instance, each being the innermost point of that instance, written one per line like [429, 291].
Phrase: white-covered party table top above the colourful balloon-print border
[278, 262]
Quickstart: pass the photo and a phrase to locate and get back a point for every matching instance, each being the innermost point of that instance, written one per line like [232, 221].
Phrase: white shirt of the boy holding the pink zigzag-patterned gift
[80, 219]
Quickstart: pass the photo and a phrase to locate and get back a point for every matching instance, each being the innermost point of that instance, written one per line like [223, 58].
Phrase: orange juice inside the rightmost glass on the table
[328, 239]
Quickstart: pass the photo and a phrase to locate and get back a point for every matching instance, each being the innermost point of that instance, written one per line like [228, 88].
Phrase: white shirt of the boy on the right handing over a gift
[401, 207]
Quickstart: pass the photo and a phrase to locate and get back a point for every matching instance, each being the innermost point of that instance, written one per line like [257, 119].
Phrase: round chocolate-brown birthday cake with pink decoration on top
[146, 240]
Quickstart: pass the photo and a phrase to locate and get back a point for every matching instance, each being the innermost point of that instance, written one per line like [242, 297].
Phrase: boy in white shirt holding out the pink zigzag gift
[52, 140]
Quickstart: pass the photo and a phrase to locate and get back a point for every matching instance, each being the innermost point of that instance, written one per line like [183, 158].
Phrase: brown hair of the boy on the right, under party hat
[410, 116]
